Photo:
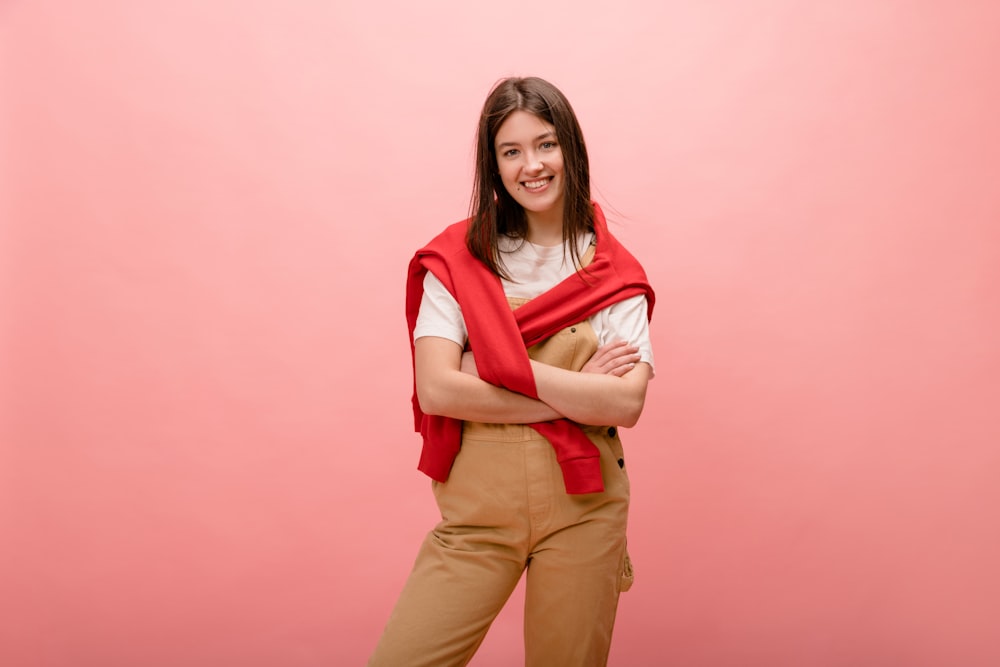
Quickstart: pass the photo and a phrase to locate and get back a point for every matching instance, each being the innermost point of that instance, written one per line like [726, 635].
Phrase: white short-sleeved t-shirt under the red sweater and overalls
[536, 269]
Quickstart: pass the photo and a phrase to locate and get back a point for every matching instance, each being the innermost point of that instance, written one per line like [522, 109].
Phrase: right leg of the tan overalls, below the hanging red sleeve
[575, 571]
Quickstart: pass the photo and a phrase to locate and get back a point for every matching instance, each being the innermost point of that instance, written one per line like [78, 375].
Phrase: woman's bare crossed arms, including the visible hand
[609, 390]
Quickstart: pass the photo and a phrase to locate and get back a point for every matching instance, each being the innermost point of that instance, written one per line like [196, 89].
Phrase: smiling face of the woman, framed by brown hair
[530, 163]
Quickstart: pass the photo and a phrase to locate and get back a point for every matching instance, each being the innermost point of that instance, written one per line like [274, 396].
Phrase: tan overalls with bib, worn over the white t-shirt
[504, 510]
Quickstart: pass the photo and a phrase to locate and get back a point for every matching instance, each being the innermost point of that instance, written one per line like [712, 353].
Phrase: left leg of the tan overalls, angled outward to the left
[467, 566]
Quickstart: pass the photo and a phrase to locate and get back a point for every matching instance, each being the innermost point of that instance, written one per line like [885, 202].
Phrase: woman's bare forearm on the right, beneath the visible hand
[590, 398]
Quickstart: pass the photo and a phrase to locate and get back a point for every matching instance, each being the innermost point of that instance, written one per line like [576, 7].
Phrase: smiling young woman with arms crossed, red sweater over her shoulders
[529, 326]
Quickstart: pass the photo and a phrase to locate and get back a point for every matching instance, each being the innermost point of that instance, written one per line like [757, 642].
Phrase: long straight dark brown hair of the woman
[493, 211]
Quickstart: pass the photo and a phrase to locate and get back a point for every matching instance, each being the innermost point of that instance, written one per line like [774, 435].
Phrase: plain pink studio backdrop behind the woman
[207, 210]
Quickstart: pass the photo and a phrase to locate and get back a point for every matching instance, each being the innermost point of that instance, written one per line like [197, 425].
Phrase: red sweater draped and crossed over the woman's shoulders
[499, 337]
